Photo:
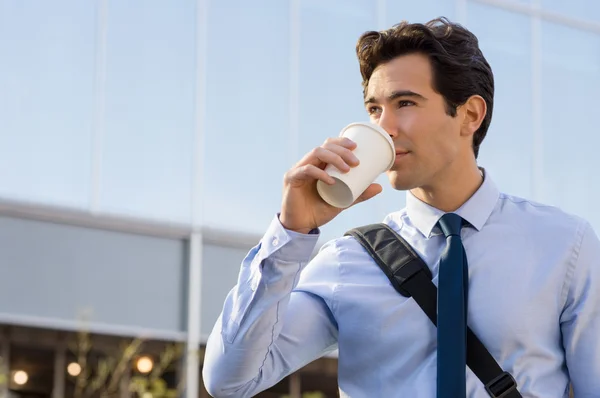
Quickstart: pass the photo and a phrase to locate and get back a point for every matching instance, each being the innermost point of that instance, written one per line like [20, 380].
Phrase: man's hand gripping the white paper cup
[302, 207]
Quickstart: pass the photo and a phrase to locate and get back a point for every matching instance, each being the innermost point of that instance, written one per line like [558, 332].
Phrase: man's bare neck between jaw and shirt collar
[451, 189]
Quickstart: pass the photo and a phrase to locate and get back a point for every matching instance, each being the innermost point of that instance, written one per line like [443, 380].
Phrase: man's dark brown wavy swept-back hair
[459, 68]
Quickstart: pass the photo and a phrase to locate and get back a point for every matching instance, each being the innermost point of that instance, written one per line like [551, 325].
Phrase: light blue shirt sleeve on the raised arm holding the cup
[267, 328]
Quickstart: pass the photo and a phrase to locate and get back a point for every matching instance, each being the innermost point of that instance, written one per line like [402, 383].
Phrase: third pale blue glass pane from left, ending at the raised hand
[247, 122]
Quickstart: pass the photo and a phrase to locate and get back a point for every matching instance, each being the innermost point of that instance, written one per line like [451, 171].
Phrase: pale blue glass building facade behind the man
[143, 143]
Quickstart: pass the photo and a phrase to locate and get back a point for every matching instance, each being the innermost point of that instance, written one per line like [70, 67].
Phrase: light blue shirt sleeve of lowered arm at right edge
[580, 320]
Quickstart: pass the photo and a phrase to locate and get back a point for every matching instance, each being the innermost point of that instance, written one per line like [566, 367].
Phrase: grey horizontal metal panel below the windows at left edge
[52, 274]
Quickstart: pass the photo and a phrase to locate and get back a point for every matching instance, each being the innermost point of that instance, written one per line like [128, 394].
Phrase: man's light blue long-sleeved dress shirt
[534, 302]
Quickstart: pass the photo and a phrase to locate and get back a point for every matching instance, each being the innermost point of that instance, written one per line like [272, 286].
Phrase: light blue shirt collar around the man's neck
[475, 211]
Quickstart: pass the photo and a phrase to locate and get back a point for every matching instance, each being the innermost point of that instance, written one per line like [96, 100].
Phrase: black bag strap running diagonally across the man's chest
[411, 277]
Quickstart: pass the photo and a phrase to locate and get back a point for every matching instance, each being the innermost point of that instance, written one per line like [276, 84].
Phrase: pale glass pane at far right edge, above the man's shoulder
[570, 84]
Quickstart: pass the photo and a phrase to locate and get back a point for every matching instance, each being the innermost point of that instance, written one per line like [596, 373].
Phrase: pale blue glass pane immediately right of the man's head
[508, 147]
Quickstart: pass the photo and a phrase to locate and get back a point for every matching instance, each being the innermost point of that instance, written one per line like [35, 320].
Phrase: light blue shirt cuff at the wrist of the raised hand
[283, 244]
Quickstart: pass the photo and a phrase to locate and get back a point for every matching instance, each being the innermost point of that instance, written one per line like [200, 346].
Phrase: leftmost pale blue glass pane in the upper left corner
[46, 100]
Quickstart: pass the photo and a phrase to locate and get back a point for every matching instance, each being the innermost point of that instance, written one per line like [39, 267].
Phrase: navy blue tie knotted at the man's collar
[452, 312]
